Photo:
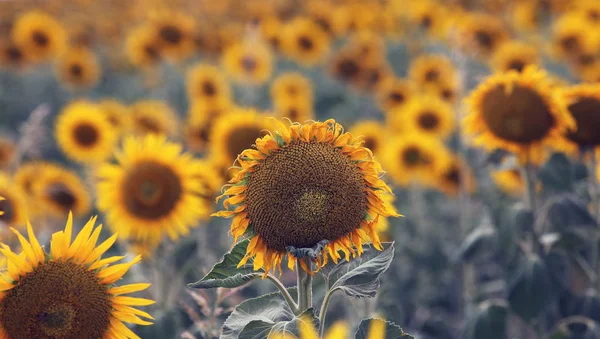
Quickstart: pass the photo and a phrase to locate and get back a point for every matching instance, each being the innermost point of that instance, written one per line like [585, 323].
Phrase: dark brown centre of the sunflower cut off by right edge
[586, 112]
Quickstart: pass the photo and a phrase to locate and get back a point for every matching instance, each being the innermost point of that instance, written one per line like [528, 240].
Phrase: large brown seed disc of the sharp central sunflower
[305, 193]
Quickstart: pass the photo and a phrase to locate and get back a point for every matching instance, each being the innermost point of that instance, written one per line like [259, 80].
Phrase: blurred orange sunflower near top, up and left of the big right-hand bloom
[482, 34]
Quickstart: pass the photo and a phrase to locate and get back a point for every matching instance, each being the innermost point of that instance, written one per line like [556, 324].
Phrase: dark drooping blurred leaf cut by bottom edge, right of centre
[489, 322]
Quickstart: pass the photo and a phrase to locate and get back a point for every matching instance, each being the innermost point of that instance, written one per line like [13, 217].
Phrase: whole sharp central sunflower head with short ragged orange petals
[305, 188]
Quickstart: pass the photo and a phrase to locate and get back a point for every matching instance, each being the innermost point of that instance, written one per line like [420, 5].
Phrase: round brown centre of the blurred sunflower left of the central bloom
[151, 190]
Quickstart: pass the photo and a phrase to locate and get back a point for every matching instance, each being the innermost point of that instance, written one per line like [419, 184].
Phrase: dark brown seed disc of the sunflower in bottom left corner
[57, 300]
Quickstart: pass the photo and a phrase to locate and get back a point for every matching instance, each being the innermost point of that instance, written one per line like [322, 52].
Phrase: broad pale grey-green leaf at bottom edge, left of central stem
[258, 317]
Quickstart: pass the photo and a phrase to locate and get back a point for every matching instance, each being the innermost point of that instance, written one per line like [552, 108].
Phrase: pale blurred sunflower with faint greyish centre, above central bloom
[248, 62]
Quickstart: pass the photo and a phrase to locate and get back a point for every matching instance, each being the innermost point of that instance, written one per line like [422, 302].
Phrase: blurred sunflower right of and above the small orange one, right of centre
[432, 69]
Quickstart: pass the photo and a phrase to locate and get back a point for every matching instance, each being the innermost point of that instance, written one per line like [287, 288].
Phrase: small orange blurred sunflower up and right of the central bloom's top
[394, 93]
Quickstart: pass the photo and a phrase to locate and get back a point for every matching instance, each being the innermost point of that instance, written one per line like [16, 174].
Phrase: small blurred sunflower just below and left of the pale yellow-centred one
[208, 83]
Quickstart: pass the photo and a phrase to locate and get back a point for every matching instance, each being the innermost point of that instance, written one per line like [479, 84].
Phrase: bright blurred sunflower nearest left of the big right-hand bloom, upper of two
[427, 115]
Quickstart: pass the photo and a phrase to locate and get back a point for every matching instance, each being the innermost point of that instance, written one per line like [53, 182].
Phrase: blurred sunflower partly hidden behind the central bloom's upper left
[234, 132]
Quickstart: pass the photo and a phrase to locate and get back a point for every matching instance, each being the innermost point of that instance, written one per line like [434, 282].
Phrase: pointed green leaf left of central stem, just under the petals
[226, 273]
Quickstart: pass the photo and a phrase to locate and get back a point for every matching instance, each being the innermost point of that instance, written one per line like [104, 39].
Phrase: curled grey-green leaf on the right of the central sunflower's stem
[359, 278]
